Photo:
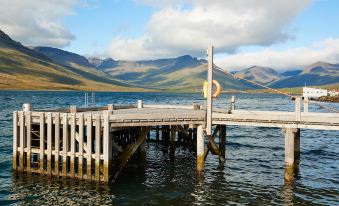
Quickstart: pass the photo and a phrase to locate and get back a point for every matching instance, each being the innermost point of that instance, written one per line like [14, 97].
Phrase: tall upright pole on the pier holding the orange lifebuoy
[209, 88]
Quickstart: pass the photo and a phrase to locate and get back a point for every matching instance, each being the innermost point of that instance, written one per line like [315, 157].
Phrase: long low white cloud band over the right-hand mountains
[299, 57]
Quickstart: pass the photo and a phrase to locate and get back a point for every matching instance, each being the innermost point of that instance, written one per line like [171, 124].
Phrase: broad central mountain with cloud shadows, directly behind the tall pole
[181, 73]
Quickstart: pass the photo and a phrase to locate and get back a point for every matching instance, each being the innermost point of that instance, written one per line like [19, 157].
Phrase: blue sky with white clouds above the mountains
[283, 34]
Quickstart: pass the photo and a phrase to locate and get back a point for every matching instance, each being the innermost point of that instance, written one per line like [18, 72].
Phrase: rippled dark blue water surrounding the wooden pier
[252, 174]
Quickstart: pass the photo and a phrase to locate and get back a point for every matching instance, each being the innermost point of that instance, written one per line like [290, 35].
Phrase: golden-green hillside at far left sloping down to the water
[25, 68]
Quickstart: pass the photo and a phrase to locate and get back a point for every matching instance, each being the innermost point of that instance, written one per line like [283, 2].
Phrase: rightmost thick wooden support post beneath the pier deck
[292, 152]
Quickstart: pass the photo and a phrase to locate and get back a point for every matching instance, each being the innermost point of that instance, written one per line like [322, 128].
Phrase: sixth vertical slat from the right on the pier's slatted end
[64, 144]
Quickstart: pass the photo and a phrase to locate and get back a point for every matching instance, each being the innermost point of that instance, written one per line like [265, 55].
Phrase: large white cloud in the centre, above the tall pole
[188, 27]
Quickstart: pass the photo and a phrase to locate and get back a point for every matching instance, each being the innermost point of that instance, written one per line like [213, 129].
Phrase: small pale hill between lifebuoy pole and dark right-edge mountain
[258, 74]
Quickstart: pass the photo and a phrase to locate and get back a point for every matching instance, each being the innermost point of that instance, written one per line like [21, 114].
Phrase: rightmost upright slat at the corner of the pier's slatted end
[107, 148]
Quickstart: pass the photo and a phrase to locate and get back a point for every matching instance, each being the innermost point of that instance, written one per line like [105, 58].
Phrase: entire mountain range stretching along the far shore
[50, 68]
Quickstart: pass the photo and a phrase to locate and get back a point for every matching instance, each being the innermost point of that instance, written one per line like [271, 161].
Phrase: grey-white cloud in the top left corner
[35, 22]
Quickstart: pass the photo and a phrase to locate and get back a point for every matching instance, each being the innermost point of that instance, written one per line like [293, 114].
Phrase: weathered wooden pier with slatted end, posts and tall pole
[97, 143]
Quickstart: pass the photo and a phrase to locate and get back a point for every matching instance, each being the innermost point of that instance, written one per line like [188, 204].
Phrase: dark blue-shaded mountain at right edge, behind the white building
[319, 73]
